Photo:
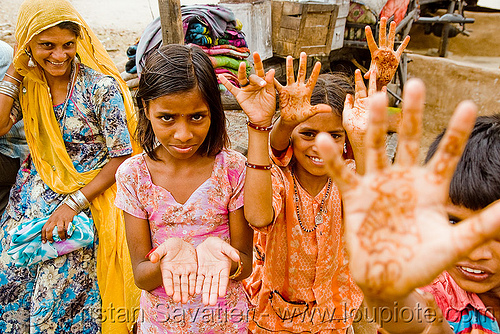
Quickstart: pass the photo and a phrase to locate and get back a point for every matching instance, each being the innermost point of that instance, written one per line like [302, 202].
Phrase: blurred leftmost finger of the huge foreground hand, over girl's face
[331, 154]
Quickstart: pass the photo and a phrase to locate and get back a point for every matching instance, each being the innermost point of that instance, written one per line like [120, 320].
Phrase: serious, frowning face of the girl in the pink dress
[181, 122]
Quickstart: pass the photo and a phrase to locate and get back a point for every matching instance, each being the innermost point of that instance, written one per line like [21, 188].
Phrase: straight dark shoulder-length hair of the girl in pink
[174, 70]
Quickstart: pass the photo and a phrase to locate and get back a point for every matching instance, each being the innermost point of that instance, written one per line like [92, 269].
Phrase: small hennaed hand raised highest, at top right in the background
[384, 60]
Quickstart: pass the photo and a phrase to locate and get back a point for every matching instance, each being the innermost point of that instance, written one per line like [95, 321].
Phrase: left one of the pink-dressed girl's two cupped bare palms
[178, 265]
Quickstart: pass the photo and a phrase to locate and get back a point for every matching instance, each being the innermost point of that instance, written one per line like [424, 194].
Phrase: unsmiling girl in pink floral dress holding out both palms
[183, 202]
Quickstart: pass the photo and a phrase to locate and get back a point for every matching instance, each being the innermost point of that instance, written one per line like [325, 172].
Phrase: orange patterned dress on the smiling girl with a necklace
[301, 280]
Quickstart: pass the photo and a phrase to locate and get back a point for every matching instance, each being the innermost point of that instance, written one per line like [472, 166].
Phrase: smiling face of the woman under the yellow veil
[54, 49]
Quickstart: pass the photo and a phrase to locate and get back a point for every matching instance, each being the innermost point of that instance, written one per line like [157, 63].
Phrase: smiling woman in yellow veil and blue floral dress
[76, 111]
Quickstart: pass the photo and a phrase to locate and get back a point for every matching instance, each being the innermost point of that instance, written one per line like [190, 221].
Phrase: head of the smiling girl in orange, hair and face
[330, 89]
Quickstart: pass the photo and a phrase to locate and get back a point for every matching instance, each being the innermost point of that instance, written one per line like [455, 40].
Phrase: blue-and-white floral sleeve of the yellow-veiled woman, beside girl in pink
[110, 108]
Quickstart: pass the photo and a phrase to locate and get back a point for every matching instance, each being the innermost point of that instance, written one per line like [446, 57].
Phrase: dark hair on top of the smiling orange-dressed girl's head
[331, 89]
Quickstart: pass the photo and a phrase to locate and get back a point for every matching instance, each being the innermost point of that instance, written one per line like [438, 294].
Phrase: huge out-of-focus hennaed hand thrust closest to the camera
[396, 227]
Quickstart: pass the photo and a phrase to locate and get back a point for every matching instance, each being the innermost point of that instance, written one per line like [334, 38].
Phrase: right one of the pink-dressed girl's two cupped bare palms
[214, 264]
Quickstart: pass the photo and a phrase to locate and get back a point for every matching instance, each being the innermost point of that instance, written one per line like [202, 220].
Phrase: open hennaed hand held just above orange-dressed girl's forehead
[295, 97]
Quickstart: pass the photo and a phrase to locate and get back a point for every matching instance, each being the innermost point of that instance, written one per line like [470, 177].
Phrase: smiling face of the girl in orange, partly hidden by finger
[304, 148]
